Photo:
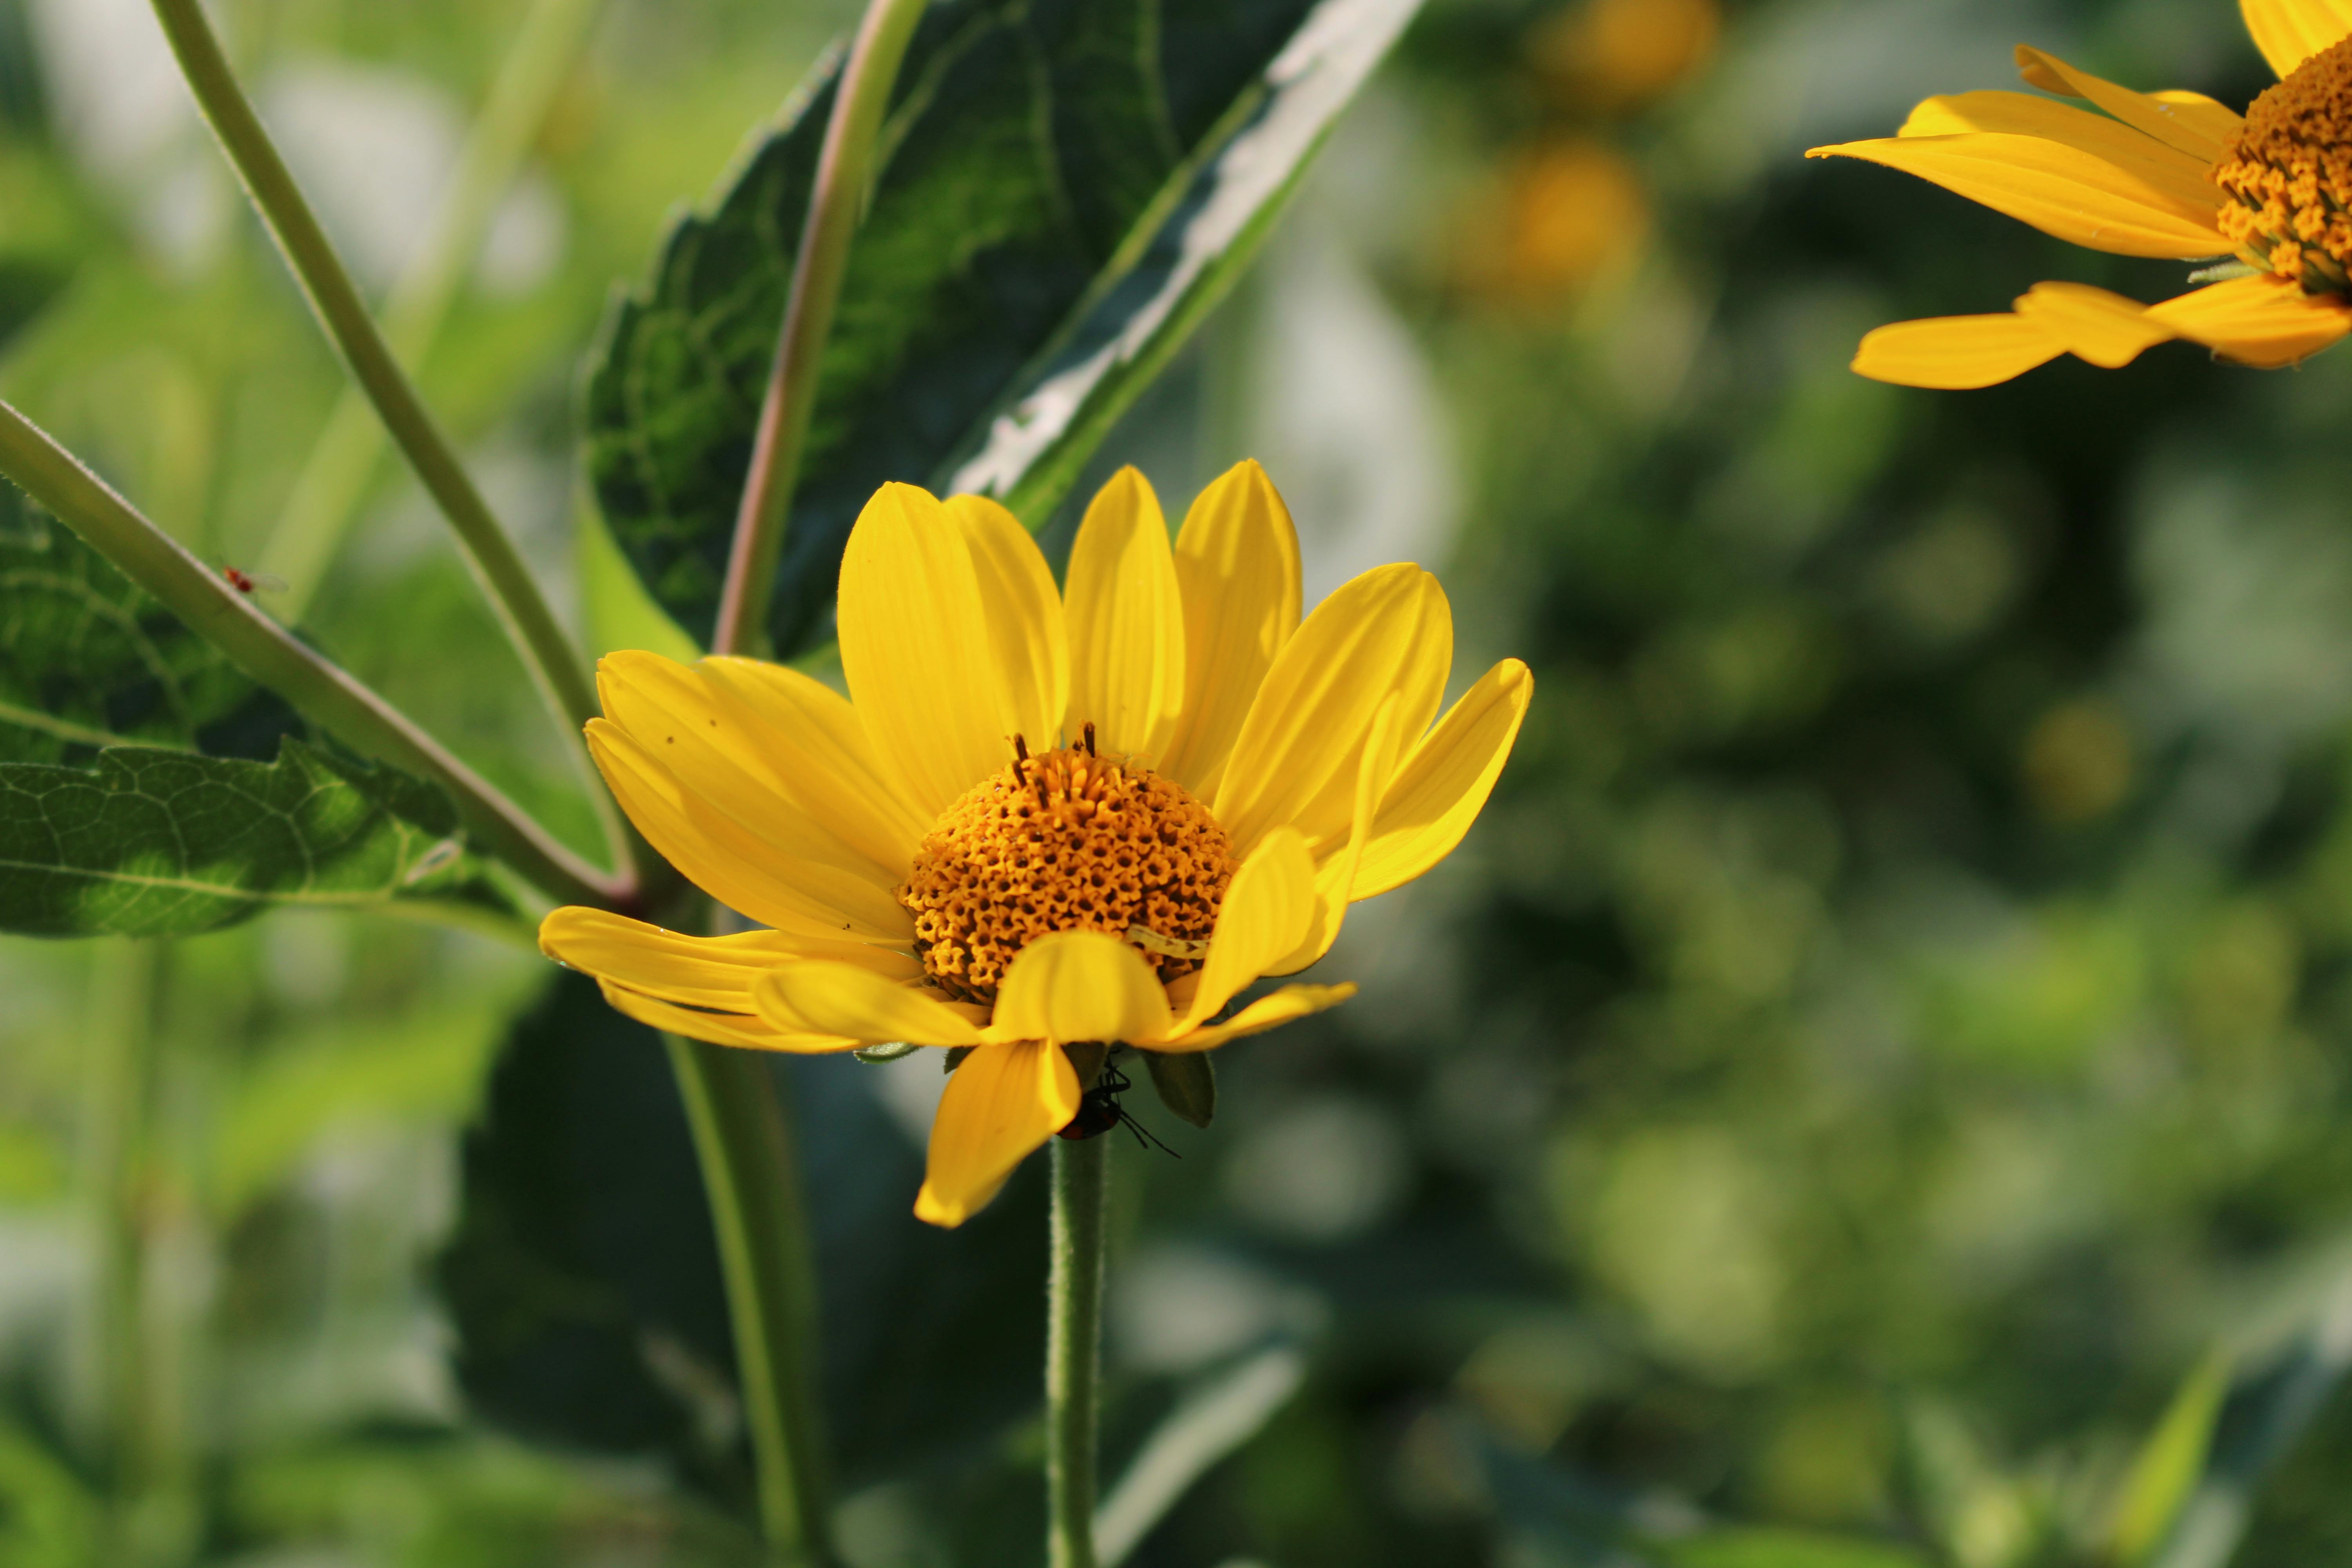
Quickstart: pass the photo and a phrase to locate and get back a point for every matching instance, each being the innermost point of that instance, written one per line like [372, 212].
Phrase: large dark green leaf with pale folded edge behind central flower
[1067, 194]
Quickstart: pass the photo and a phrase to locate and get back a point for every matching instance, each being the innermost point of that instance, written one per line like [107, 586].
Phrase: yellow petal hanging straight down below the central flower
[1001, 1106]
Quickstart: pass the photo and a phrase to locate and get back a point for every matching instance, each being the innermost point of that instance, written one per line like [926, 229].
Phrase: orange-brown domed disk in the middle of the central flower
[1064, 843]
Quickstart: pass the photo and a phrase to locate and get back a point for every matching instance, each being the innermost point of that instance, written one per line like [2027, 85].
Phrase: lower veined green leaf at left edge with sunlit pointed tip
[154, 843]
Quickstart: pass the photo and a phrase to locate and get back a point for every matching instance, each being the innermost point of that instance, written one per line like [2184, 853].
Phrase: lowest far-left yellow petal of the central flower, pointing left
[695, 970]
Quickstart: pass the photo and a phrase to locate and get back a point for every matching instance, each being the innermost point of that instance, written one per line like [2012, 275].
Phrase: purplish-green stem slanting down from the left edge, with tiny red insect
[274, 657]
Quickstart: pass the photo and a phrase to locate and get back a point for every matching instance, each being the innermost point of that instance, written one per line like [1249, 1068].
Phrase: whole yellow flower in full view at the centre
[1041, 819]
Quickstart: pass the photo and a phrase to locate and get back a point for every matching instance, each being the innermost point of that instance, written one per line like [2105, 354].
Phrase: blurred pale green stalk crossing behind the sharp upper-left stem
[335, 478]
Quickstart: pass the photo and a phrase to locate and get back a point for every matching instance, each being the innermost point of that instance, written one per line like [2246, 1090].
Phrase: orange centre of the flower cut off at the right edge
[2292, 175]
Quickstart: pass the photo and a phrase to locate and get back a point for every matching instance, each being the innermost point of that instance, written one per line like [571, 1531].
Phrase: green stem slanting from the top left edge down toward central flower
[547, 650]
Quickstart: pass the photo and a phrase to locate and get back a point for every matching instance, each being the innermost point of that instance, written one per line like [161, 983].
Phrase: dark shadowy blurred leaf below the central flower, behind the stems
[587, 1292]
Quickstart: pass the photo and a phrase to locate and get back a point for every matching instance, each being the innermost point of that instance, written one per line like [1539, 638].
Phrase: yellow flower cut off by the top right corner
[2156, 175]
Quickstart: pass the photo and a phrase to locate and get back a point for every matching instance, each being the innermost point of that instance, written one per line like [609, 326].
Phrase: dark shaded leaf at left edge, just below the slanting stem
[88, 659]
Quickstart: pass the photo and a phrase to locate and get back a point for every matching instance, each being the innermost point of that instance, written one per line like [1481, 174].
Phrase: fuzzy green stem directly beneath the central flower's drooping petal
[1074, 1348]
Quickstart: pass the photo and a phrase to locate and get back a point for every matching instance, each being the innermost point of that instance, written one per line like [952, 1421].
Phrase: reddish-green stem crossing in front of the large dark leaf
[846, 173]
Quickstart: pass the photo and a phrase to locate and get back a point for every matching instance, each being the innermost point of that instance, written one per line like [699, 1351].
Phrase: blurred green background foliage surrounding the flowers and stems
[1883, 1050]
